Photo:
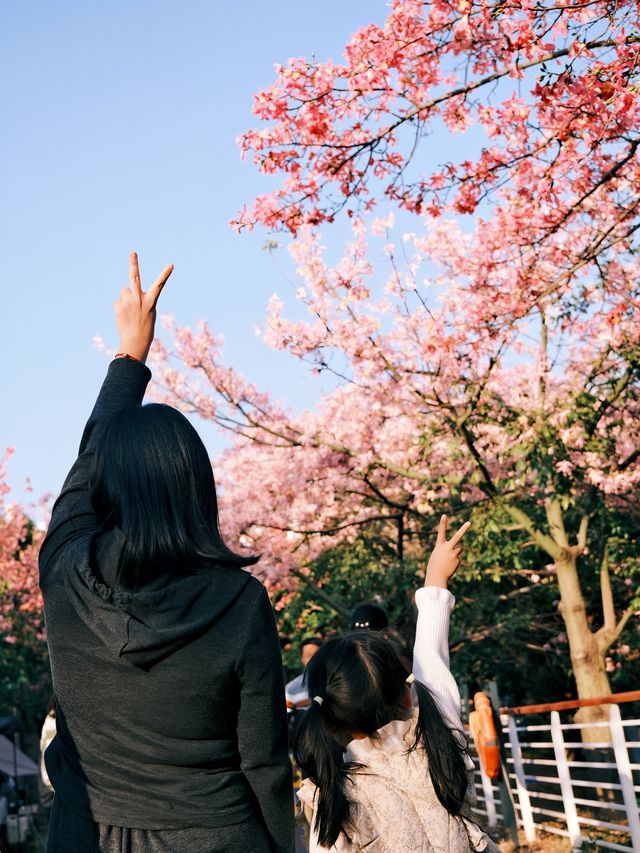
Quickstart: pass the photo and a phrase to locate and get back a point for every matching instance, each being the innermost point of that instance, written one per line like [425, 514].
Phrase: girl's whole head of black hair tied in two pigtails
[362, 685]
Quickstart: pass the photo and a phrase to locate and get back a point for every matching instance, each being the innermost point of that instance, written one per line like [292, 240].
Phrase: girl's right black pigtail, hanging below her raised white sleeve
[444, 752]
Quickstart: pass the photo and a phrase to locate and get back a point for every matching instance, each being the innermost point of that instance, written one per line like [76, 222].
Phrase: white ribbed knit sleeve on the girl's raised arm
[431, 651]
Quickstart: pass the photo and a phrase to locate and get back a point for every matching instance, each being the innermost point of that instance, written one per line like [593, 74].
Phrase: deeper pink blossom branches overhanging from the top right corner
[549, 87]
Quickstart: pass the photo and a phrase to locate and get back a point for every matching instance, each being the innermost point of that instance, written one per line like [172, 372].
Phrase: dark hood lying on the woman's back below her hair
[146, 625]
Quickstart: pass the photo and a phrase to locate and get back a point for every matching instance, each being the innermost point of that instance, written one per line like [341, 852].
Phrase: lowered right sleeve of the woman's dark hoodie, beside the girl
[262, 726]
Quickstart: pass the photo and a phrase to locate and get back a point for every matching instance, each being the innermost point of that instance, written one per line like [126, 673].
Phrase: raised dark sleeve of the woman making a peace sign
[72, 516]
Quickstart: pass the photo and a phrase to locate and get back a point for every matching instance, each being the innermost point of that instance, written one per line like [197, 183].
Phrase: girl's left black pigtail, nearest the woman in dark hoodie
[321, 758]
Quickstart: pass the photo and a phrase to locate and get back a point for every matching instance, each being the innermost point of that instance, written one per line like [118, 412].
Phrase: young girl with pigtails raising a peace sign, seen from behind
[384, 754]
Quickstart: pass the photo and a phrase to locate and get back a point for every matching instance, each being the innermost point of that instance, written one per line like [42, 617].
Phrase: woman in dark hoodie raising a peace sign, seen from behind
[171, 722]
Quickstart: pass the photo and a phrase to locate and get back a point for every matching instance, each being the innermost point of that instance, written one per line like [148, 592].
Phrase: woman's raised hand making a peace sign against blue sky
[135, 311]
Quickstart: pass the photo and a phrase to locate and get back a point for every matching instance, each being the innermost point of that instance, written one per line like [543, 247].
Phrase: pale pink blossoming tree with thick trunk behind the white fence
[453, 393]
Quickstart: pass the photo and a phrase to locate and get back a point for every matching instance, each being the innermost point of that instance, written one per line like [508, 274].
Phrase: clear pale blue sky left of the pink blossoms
[119, 128]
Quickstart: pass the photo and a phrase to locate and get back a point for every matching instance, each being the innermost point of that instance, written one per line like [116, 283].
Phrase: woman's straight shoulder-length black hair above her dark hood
[151, 478]
